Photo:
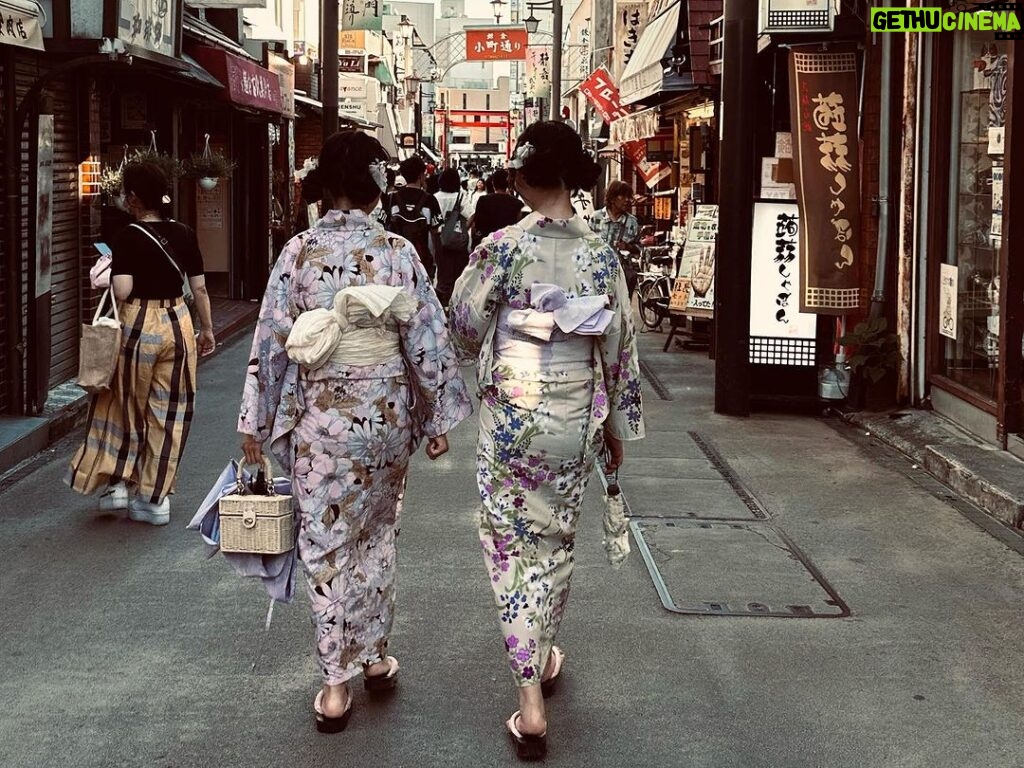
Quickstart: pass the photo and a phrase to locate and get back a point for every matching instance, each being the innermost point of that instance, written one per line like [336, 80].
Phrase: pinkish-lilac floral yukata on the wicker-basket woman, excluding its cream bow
[347, 433]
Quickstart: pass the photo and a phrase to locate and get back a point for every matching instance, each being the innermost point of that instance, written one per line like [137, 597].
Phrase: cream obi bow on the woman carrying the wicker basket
[318, 333]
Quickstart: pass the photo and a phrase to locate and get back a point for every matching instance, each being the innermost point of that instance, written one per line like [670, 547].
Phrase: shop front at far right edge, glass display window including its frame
[974, 316]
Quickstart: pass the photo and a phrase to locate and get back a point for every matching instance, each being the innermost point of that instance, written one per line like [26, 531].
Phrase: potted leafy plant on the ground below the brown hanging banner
[875, 360]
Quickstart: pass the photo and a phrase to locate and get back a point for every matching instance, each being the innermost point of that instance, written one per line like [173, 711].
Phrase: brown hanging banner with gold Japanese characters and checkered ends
[827, 165]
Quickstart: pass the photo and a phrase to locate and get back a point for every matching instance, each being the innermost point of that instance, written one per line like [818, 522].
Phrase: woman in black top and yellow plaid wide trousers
[139, 429]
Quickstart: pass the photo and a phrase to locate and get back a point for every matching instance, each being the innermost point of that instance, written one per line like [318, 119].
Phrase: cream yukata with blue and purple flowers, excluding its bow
[545, 408]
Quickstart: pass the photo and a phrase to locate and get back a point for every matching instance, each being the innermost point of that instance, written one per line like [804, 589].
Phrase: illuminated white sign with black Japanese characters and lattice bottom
[781, 334]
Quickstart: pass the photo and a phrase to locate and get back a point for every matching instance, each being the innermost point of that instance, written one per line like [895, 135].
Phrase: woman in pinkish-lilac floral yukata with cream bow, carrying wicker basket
[351, 368]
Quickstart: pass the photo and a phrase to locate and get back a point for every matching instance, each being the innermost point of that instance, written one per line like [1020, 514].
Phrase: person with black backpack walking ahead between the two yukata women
[413, 212]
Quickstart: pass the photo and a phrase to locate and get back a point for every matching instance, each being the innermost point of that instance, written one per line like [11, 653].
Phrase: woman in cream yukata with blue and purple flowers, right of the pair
[543, 307]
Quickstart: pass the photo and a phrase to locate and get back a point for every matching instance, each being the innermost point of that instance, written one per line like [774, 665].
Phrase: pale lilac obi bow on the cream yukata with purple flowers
[585, 316]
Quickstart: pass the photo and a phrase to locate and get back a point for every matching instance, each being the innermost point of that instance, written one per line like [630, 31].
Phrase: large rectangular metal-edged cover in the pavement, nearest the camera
[721, 568]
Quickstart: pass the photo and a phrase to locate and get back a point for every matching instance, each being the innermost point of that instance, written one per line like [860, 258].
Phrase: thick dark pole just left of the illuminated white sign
[733, 268]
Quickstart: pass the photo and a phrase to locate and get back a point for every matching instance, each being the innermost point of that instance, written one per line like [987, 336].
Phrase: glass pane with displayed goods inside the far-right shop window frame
[972, 358]
